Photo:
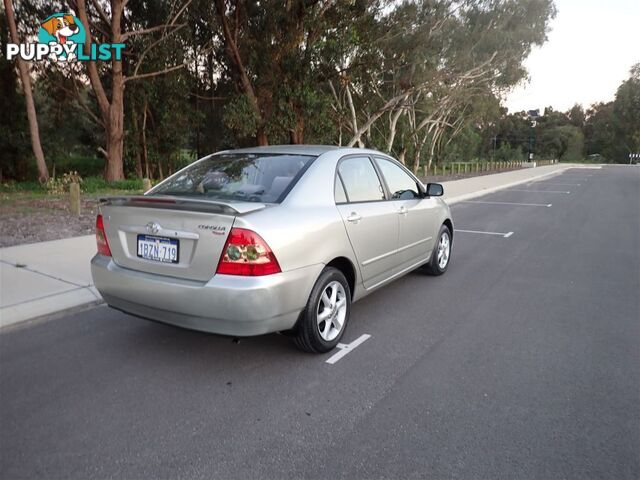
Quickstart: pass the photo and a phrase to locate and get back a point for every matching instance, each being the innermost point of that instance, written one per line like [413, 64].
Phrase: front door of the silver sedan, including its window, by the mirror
[417, 215]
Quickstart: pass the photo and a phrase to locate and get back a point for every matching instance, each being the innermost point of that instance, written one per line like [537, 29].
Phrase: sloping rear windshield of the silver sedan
[247, 177]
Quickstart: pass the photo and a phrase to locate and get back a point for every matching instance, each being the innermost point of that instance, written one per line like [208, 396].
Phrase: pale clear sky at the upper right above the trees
[591, 48]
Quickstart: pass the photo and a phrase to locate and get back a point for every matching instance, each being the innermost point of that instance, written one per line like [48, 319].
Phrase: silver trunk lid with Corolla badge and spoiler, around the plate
[199, 227]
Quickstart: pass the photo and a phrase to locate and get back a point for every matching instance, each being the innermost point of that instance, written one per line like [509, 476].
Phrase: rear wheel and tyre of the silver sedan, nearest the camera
[324, 319]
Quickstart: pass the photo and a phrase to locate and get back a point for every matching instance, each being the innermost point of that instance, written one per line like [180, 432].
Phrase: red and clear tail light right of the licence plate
[246, 253]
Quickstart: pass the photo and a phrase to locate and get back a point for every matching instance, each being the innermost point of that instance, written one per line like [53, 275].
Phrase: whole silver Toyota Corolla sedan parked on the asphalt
[282, 238]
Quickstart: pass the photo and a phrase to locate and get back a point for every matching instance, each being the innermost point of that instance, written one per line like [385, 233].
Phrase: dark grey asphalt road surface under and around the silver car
[523, 361]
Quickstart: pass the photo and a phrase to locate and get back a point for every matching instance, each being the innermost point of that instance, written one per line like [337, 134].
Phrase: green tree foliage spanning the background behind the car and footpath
[452, 61]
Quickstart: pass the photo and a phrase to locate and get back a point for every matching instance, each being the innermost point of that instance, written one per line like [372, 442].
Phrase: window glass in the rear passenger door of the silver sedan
[360, 180]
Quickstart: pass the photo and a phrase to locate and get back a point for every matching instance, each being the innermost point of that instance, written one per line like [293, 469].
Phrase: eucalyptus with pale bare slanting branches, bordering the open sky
[437, 57]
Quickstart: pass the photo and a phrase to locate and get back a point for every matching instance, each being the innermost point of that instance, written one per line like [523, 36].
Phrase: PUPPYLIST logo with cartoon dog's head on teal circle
[61, 37]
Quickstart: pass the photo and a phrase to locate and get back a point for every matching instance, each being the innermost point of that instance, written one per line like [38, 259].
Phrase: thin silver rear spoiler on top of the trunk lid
[182, 203]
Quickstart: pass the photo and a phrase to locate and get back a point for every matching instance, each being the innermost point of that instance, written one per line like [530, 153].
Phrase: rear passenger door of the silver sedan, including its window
[371, 222]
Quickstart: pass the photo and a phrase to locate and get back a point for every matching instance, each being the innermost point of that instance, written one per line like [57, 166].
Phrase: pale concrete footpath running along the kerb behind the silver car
[46, 278]
